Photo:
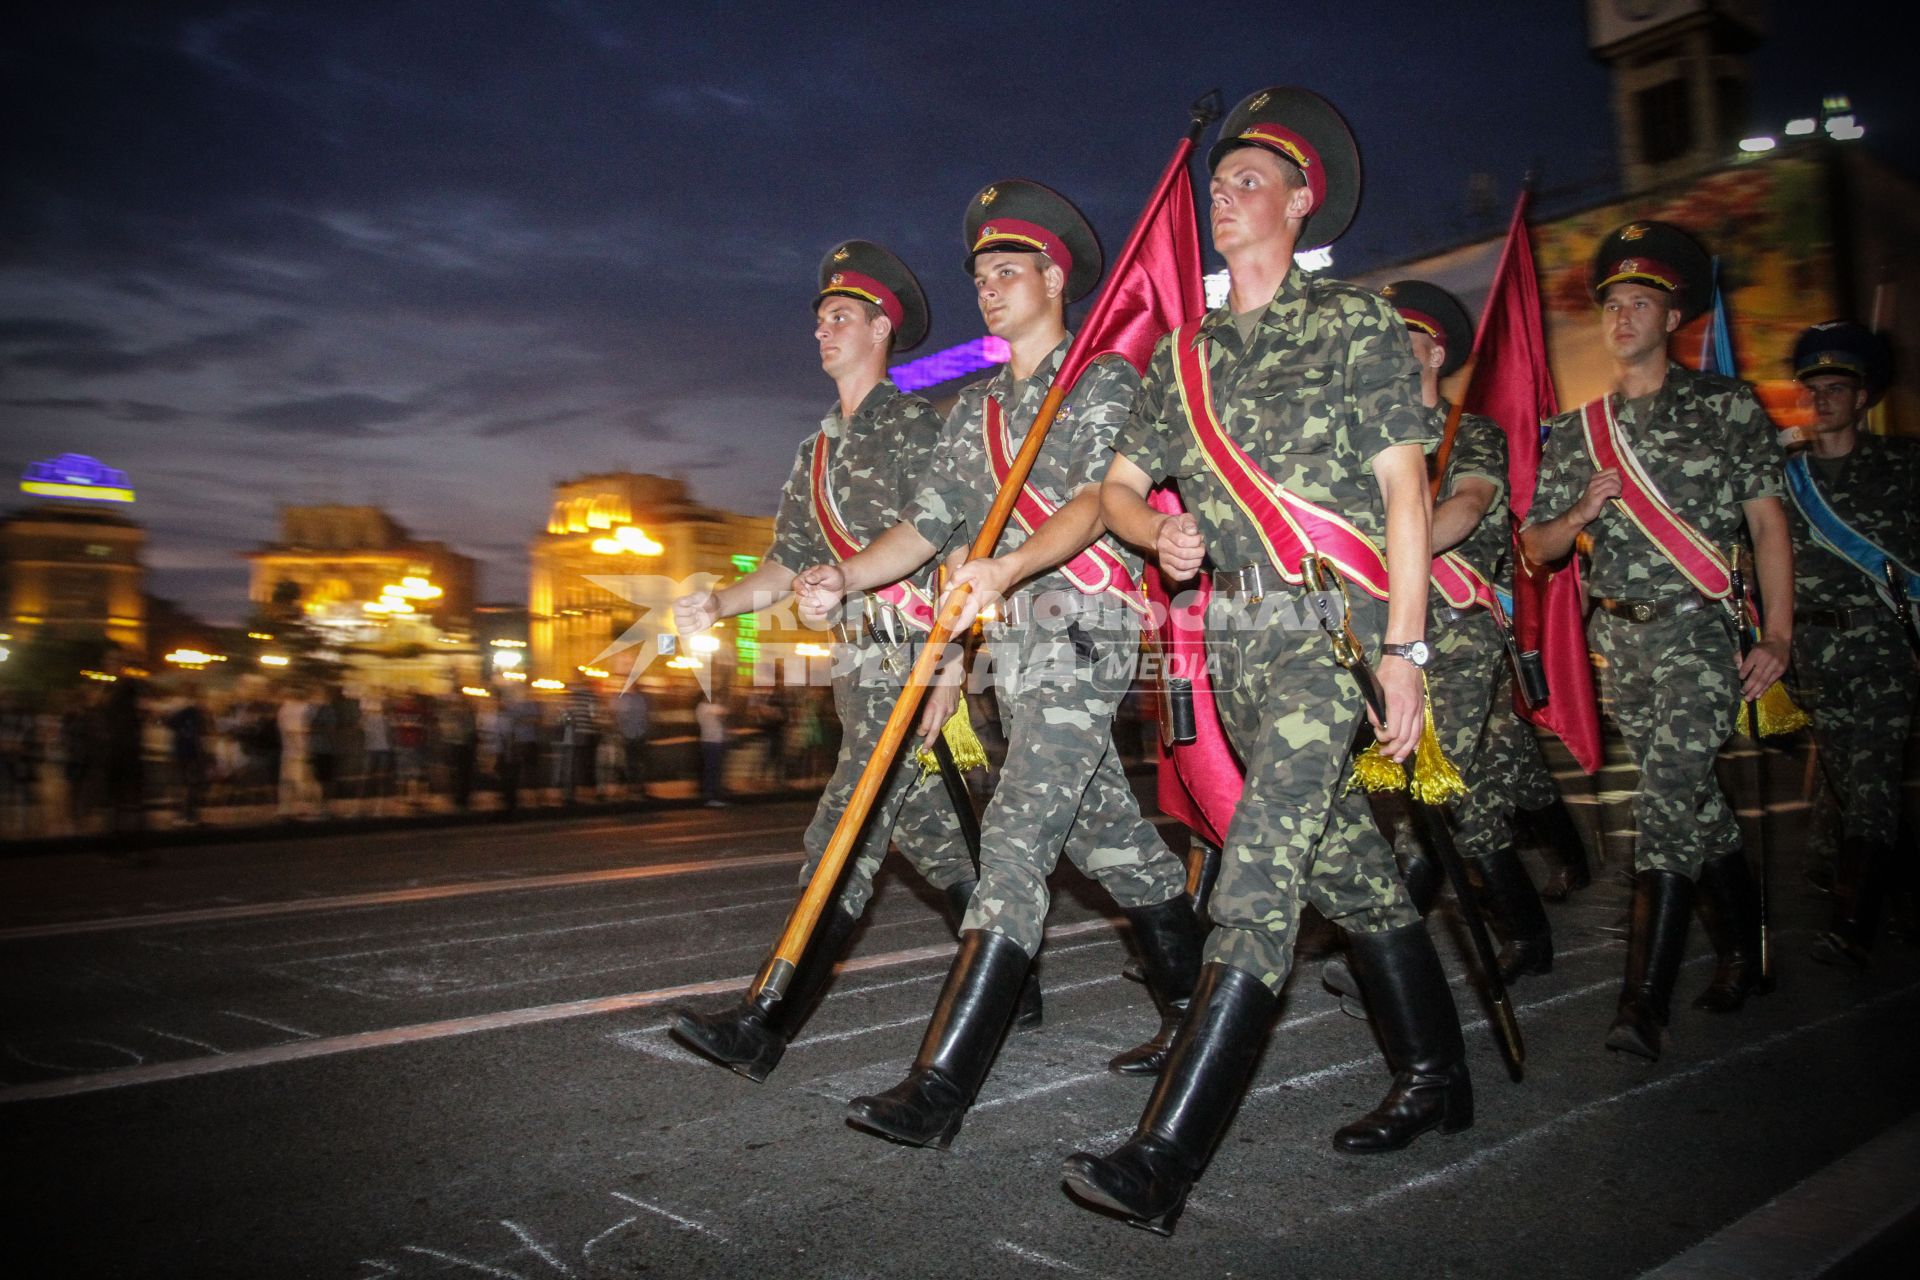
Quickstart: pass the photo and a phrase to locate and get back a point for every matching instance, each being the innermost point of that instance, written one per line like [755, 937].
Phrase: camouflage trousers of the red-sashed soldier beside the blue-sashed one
[1675, 690]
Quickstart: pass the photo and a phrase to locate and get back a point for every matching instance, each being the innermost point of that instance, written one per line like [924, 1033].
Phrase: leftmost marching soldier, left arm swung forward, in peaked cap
[850, 483]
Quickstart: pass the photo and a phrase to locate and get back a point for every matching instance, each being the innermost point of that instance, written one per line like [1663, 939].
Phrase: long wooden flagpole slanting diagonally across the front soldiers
[779, 970]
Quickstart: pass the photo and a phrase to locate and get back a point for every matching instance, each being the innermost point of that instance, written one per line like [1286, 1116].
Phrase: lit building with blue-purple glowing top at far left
[70, 565]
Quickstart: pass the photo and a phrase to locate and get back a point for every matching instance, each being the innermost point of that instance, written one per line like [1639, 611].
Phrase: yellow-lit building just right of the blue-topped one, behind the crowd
[350, 563]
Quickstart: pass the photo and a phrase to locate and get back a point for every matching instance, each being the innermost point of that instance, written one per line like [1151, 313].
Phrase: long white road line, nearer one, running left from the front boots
[327, 1047]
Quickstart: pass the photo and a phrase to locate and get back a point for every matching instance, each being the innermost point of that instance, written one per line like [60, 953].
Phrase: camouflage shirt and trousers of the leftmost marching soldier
[875, 463]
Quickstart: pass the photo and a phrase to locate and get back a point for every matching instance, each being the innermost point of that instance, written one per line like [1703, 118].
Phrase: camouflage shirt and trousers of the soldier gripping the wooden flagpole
[1063, 786]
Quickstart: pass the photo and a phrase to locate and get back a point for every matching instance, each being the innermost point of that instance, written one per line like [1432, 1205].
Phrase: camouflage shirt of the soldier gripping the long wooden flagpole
[959, 488]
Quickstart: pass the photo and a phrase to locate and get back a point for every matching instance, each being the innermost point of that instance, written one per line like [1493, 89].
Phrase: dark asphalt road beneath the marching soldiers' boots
[444, 1055]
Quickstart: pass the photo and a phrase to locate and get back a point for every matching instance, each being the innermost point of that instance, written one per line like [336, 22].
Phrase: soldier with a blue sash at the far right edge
[1852, 513]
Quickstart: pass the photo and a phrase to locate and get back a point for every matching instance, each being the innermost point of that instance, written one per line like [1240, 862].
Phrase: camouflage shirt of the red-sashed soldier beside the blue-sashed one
[1708, 446]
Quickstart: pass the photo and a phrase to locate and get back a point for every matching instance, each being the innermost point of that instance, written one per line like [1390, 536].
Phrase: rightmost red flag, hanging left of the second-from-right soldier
[1512, 387]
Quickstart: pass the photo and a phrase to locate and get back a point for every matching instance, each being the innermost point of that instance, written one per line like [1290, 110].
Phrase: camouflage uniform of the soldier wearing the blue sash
[1858, 682]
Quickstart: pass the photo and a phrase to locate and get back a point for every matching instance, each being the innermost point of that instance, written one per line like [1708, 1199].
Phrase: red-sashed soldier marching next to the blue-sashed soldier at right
[1660, 475]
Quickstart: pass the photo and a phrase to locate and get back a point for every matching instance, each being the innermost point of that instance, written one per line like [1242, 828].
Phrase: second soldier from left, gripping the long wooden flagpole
[1063, 650]
